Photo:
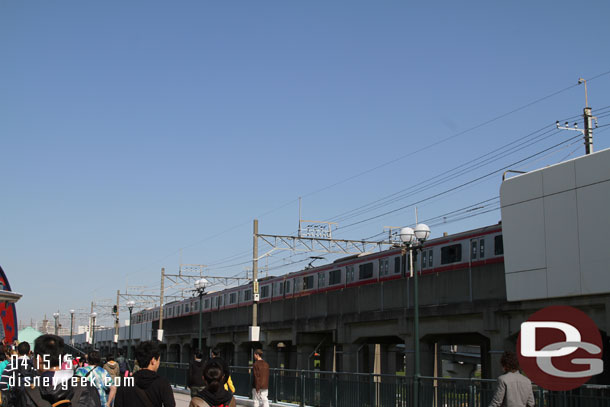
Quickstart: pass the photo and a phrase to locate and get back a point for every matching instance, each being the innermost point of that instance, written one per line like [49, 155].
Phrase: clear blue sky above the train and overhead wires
[133, 129]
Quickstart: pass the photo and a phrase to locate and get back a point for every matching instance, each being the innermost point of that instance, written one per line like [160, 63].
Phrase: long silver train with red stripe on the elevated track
[472, 248]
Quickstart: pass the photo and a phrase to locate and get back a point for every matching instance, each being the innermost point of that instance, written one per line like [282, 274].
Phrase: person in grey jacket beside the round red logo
[513, 389]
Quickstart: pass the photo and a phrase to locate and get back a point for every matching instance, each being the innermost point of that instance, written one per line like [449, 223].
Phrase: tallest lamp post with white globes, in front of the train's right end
[414, 239]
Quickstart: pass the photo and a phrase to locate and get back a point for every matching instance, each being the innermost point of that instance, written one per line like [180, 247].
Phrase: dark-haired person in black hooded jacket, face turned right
[150, 389]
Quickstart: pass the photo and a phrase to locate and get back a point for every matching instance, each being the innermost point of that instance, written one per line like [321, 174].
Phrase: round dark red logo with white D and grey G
[560, 348]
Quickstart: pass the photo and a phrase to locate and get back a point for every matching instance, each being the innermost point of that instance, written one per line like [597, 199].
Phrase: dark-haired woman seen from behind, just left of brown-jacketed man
[213, 394]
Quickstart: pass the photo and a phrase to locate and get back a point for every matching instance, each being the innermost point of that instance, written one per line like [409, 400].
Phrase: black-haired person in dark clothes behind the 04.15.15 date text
[55, 385]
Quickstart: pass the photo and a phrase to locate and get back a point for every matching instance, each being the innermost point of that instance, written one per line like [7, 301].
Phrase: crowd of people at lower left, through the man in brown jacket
[47, 377]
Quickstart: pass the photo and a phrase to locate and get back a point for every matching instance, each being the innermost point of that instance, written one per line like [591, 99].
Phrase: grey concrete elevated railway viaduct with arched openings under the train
[340, 328]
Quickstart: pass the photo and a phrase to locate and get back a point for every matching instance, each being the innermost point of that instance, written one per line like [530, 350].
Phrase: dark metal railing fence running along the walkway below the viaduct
[328, 389]
